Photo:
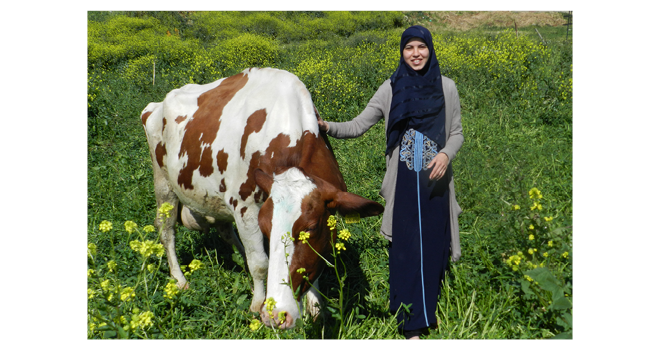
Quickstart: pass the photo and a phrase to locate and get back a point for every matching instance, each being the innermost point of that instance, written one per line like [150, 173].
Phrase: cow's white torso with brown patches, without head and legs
[208, 139]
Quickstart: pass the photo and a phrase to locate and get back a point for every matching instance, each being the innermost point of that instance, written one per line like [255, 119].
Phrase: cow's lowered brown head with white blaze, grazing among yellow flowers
[300, 203]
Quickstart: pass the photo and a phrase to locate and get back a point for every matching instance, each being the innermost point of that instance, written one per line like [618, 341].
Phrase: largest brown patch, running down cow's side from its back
[203, 126]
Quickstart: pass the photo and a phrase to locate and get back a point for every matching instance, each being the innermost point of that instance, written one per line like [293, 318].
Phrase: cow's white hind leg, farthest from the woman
[167, 226]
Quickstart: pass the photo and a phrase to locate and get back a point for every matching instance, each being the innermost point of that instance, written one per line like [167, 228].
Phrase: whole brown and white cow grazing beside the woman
[247, 149]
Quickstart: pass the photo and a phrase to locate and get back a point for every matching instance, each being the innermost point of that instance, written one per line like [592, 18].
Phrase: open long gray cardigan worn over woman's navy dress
[379, 108]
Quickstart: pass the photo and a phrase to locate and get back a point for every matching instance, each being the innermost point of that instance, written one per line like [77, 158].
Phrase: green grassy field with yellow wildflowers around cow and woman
[515, 277]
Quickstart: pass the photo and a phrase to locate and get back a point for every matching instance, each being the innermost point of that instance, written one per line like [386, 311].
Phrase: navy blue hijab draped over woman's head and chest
[418, 101]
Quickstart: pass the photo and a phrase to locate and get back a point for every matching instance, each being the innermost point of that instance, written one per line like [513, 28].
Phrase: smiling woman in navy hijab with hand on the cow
[422, 117]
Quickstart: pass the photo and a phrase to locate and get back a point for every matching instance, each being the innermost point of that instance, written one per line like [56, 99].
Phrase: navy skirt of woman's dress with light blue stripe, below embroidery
[418, 255]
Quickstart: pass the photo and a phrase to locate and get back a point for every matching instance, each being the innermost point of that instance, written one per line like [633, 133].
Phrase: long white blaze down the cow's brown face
[287, 193]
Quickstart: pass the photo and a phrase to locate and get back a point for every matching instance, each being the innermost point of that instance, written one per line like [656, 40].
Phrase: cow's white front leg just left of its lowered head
[257, 259]
